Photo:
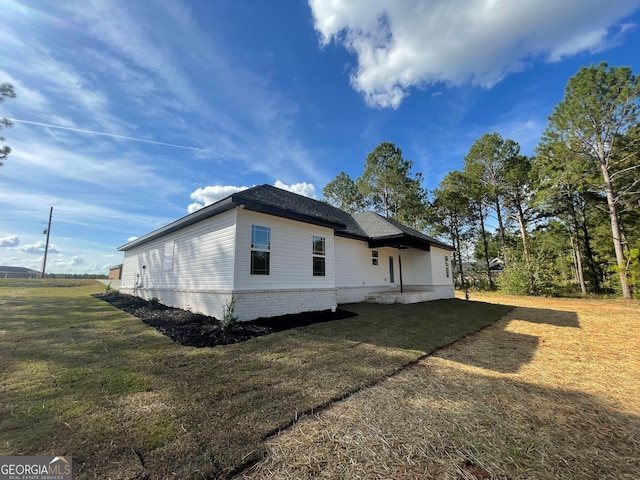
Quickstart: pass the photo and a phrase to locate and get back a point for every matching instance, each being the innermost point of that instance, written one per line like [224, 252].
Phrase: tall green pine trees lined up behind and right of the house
[565, 218]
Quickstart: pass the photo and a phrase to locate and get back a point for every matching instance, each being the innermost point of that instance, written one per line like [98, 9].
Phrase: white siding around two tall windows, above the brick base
[291, 264]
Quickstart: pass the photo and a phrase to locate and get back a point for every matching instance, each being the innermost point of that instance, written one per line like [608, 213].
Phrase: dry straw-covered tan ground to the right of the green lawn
[551, 391]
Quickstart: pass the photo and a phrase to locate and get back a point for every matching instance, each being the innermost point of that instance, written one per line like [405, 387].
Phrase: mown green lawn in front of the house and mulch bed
[79, 377]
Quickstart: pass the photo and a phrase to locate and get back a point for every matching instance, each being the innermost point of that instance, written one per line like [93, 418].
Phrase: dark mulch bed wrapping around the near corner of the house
[196, 330]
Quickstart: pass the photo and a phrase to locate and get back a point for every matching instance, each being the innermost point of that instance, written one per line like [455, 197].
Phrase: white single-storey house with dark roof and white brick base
[275, 252]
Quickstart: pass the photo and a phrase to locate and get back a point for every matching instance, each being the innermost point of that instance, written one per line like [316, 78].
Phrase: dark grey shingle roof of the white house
[367, 226]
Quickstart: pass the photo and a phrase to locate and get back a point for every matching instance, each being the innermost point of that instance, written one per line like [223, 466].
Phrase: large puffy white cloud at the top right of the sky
[416, 43]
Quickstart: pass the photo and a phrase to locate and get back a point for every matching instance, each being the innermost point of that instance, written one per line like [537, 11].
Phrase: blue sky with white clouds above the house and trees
[132, 114]
